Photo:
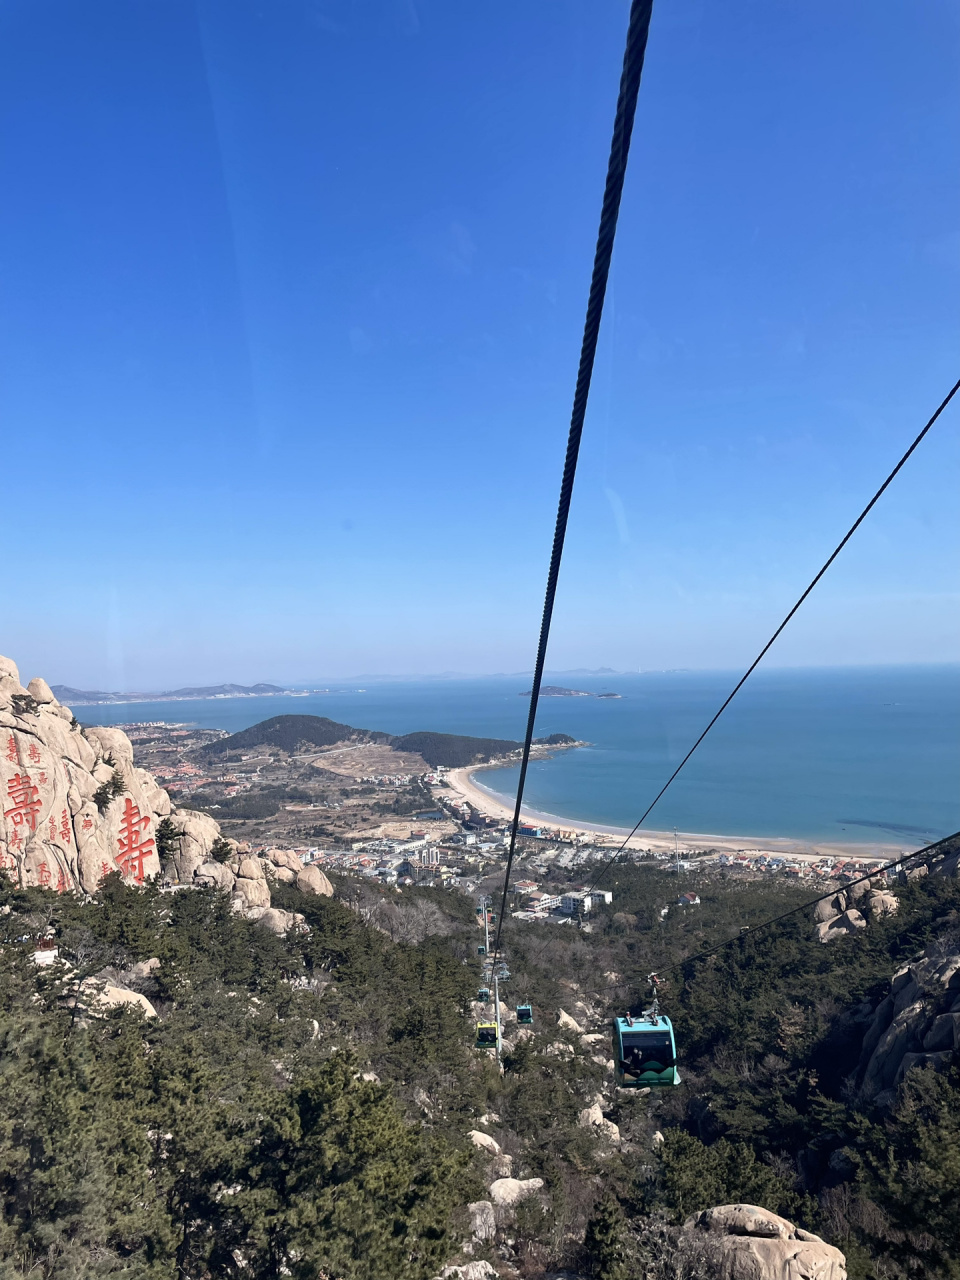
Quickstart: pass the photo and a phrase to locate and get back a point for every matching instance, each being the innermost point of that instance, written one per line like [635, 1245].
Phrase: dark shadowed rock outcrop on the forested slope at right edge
[916, 1025]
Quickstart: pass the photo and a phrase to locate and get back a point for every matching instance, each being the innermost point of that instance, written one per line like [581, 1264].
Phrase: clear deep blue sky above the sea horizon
[291, 300]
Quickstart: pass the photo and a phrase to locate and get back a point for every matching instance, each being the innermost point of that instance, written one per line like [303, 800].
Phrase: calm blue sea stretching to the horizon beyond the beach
[861, 756]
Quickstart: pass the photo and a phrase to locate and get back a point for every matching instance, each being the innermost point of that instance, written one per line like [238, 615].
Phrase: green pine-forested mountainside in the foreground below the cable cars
[312, 1105]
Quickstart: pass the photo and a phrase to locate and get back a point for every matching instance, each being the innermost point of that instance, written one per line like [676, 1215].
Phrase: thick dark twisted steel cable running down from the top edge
[634, 53]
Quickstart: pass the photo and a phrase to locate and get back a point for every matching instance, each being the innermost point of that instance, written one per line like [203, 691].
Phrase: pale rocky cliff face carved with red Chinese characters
[75, 808]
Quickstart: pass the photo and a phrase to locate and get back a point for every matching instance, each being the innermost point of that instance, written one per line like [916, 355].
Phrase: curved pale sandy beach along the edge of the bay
[495, 806]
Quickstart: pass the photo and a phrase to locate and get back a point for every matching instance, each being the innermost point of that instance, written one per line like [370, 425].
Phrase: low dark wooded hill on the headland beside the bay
[294, 734]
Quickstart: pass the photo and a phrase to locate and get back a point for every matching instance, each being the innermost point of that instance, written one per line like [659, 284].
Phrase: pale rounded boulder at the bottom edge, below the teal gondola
[756, 1245]
